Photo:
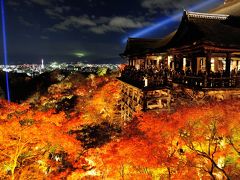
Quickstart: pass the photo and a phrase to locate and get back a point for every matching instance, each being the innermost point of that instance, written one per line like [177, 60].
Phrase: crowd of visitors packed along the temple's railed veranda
[152, 77]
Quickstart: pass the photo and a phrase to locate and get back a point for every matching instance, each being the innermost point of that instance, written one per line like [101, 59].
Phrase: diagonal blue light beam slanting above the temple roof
[169, 20]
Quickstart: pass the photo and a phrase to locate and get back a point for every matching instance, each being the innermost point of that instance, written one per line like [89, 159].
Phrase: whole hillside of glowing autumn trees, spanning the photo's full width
[73, 131]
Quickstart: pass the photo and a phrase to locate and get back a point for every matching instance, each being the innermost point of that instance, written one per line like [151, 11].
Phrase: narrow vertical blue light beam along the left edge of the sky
[5, 48]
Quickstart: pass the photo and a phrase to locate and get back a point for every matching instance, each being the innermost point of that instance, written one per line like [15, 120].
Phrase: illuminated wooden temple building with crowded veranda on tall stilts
[199, 61]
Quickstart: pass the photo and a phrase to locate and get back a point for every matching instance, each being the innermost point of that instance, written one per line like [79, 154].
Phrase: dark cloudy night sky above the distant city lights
[83, 30]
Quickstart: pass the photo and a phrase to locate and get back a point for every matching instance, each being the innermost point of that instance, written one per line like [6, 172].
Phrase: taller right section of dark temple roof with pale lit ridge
[212, 29]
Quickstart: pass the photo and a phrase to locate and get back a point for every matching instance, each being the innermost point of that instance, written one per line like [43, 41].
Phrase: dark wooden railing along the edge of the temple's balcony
[164, 80]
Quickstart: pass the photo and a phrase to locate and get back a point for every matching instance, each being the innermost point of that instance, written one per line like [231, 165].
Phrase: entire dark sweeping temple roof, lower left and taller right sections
[217, 30]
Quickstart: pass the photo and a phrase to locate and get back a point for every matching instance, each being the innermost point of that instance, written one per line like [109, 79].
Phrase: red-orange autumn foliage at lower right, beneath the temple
[193, 142]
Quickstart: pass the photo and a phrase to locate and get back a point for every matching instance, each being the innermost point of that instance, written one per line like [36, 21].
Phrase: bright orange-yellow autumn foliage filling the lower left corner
[29, 138]
